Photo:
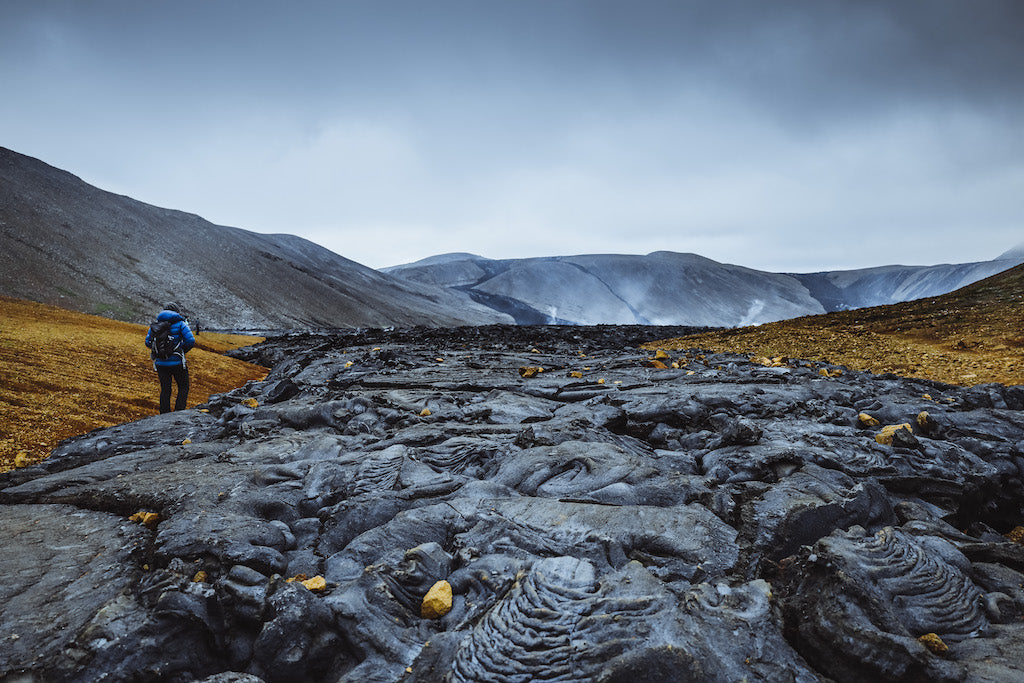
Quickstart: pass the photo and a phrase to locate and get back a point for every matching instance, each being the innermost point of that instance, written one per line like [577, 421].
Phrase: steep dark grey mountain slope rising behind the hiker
[67, 243]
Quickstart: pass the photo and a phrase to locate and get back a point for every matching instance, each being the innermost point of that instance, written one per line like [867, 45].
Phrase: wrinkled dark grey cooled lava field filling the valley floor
[720, 521]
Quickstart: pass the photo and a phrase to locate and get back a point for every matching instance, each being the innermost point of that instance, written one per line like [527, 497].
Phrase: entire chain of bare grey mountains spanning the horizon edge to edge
[67, 243]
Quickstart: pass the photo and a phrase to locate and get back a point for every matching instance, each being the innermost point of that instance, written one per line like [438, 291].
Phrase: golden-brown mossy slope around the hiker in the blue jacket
[66, 373]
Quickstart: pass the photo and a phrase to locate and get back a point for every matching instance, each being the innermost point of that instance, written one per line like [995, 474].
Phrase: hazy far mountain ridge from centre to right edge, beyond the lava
[667, 288]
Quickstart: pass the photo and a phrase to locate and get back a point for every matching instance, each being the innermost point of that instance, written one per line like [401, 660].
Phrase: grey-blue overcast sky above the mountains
[793, 136]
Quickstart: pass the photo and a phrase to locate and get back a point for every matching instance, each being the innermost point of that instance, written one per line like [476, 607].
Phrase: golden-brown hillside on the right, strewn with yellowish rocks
[971, 336]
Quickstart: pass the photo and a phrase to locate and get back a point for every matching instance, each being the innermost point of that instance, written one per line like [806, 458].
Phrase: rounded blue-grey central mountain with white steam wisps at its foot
[663, 288]
